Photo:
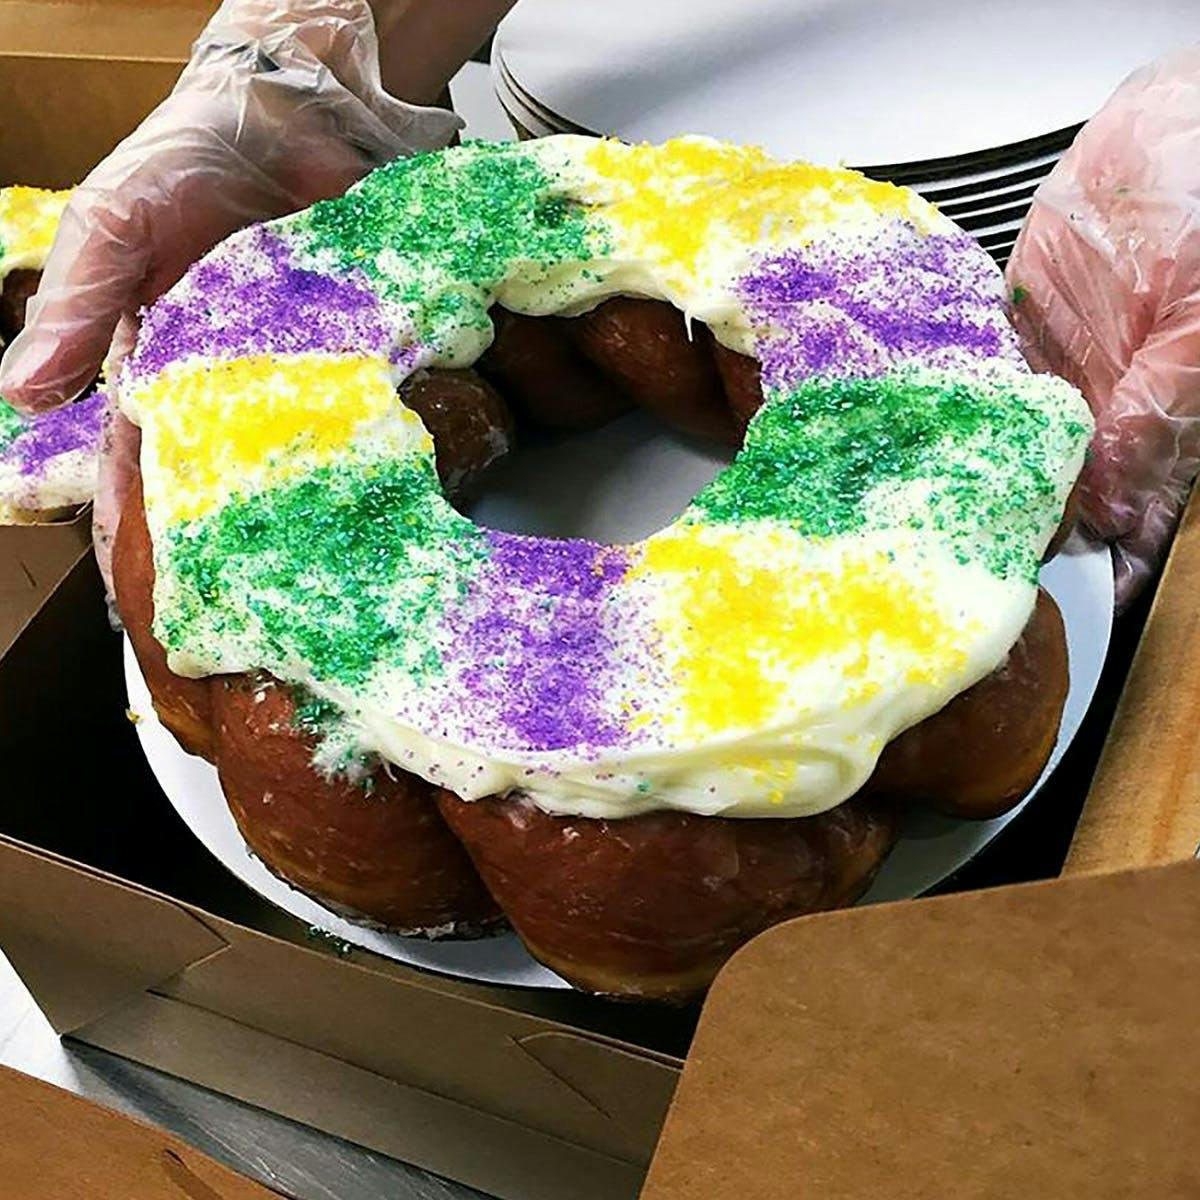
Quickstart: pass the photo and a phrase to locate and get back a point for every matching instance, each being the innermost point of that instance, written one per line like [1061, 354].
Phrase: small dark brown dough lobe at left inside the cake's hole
[469, 421]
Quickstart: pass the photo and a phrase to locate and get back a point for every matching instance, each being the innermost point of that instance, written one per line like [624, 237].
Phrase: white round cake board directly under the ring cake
[619, 485]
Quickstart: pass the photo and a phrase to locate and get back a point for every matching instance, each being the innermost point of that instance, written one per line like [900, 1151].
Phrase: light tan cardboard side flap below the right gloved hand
[1144, 806]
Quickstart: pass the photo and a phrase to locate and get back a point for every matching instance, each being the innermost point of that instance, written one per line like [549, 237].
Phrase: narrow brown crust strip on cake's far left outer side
[184, 706]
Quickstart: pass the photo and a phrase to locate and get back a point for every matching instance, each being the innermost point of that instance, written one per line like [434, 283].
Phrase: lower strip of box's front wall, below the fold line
[479, 1149]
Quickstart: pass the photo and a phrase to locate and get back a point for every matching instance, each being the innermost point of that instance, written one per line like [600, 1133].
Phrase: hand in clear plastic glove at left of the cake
[280, 106]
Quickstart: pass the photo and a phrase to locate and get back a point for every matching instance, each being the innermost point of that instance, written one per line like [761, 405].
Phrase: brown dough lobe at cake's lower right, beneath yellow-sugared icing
[987, 748]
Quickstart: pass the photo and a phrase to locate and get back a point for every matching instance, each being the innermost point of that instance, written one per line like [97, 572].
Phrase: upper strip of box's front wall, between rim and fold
[405, 1027]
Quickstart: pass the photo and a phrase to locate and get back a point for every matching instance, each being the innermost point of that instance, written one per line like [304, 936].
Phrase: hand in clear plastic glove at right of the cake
[1106, 286]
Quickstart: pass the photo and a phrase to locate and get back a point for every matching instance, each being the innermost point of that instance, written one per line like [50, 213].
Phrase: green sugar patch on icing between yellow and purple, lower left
[334, 569]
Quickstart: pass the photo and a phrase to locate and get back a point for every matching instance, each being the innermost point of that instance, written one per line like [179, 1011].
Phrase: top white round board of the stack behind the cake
[836, 81]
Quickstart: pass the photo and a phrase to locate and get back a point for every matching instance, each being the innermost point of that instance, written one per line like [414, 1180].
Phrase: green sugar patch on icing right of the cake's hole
[832, 457]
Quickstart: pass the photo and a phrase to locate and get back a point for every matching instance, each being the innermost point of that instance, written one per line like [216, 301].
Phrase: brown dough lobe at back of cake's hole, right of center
[645, 346]
